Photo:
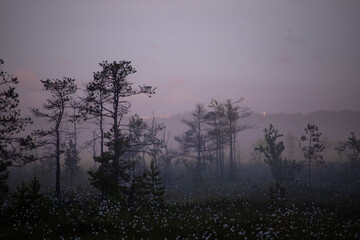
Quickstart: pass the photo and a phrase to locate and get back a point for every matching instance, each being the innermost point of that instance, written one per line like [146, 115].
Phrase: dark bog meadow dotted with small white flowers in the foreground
[238, 212]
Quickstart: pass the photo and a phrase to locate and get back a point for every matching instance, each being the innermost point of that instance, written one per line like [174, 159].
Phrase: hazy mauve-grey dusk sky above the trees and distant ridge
[291, 56]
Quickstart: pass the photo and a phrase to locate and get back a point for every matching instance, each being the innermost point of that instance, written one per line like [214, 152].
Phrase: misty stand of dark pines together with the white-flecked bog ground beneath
[83, 167]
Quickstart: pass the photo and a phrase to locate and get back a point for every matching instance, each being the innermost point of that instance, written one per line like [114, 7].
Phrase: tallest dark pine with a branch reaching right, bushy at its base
[115, 90]
